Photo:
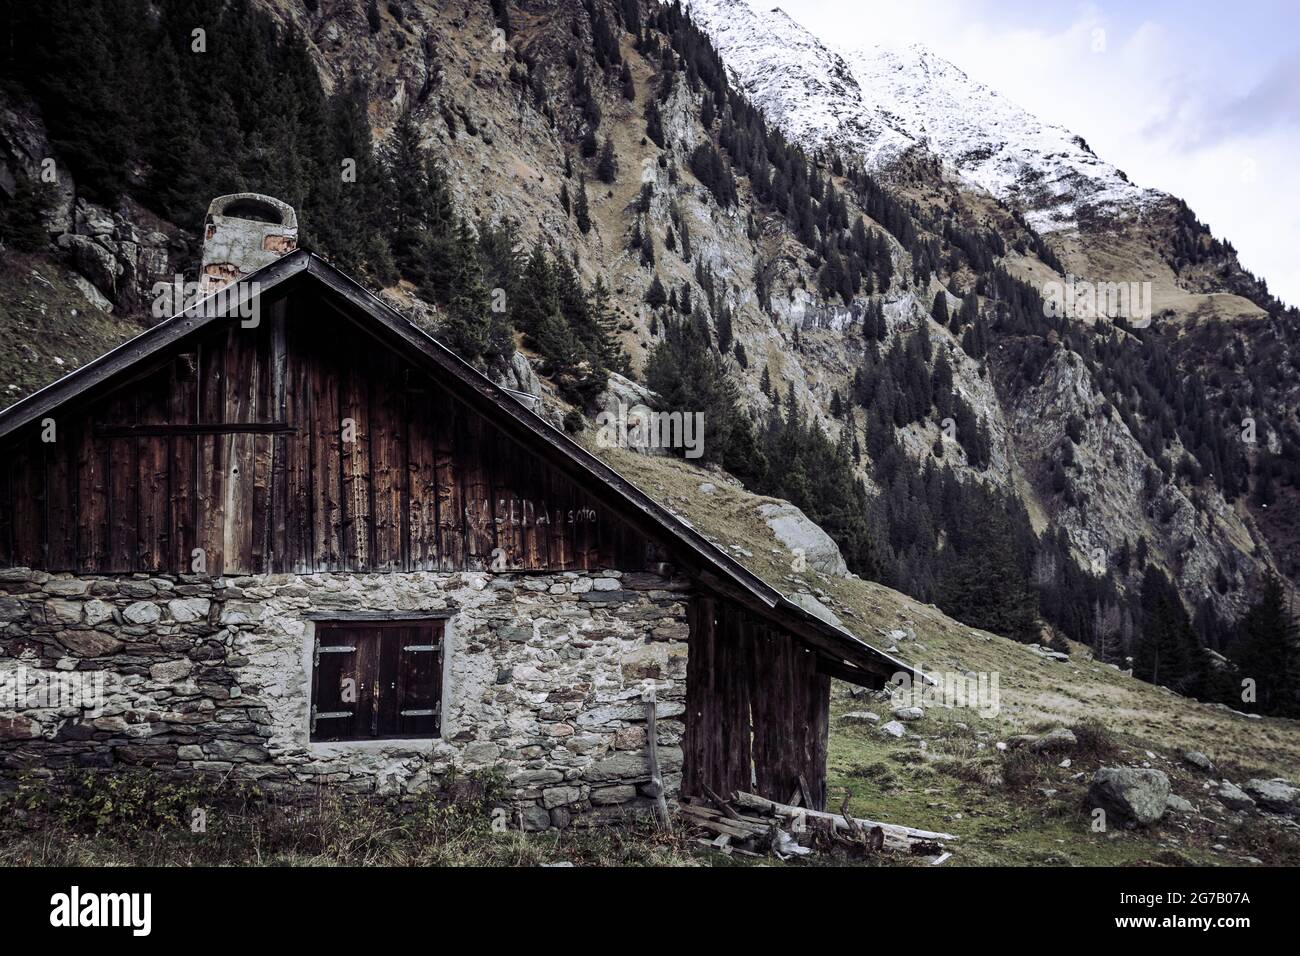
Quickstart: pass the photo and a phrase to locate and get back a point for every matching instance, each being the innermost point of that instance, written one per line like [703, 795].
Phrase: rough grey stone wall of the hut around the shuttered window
[544, 681]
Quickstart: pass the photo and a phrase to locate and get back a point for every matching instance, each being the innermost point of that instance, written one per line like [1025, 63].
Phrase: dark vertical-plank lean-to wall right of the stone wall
[757, 710]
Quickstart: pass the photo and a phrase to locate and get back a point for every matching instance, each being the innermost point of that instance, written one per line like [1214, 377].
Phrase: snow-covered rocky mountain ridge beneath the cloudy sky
[878, 101]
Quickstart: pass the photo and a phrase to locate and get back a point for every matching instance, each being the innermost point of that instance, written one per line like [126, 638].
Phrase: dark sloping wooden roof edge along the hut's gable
[843, 651]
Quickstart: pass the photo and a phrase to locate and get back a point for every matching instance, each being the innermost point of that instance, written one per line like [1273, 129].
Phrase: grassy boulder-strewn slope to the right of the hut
[942, 778]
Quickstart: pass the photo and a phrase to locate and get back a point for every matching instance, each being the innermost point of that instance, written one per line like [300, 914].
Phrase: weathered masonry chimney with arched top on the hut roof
[242, 233]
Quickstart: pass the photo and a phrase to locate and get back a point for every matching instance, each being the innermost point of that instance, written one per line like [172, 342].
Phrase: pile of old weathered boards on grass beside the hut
[751, 825]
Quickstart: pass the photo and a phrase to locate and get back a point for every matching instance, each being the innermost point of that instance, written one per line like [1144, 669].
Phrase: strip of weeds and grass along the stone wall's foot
[138, 819]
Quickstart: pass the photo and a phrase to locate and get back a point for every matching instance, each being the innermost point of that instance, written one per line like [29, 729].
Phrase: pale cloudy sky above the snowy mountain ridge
[1199, 100]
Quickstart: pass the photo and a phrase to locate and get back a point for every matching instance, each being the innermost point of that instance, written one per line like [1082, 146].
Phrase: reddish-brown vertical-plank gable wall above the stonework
[300, 445]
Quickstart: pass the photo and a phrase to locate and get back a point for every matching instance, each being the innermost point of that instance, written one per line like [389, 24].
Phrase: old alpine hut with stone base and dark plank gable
[314, 547]
